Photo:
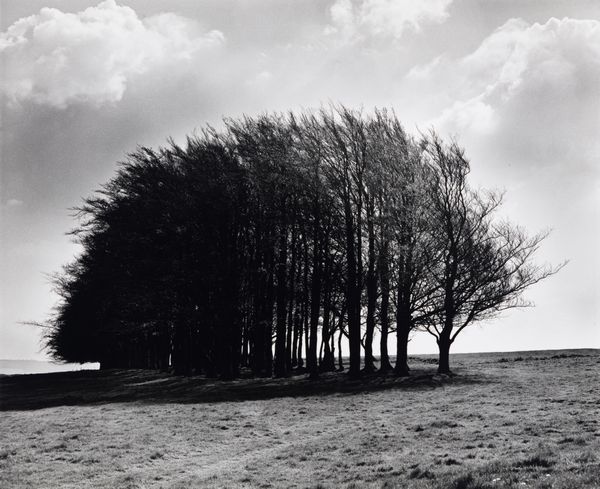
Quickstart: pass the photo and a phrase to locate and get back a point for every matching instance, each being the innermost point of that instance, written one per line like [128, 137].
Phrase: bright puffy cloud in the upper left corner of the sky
[57, 58]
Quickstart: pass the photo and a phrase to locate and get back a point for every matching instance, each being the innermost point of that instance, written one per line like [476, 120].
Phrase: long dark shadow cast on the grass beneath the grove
[38, 391]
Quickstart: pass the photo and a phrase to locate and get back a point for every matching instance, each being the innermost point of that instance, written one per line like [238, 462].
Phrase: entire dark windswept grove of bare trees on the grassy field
[269, 244]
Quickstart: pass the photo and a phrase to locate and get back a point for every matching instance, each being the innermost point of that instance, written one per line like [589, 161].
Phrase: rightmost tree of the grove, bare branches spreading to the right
[478, 265]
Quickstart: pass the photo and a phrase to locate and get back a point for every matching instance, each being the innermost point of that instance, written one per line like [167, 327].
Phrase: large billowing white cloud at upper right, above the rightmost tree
[533, 85]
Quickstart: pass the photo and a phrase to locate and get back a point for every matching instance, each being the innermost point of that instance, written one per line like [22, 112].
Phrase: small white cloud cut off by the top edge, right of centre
[354, 20]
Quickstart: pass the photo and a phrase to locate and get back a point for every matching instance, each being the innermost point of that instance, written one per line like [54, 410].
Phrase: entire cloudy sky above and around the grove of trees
[515, 82]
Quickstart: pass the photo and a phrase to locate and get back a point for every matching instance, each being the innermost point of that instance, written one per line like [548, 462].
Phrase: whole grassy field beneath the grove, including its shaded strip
[506, 420]
